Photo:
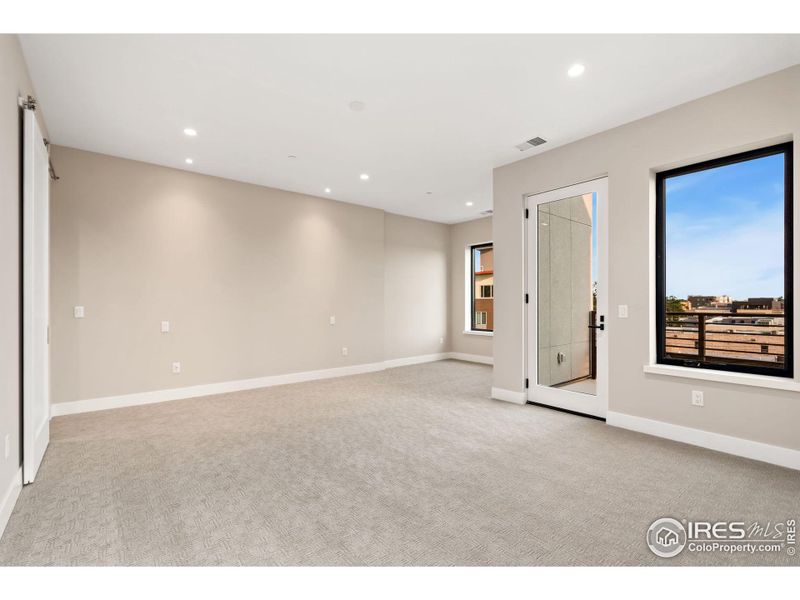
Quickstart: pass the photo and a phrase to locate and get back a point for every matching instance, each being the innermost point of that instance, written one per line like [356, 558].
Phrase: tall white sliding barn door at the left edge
[35, 298]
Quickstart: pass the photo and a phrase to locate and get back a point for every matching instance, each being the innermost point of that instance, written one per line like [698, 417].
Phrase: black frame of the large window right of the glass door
[787, 370]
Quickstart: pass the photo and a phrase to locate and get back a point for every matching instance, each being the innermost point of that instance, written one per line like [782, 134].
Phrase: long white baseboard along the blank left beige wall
[93, 404]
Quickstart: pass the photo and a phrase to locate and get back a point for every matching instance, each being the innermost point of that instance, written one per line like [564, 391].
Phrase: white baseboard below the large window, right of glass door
[777, 455]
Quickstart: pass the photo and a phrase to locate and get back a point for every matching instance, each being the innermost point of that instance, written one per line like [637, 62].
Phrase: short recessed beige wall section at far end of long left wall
[416, 258]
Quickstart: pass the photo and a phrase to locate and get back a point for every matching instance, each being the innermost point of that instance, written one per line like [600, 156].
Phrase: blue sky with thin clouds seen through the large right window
[724, 231]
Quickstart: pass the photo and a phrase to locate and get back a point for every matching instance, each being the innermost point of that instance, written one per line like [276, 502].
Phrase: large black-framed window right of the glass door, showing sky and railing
[724, 263]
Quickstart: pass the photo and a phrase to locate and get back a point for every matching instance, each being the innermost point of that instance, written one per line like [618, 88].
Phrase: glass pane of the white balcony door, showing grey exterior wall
[567, 293]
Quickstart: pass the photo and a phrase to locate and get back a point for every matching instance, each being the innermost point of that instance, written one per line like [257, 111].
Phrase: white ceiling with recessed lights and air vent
[441, 110]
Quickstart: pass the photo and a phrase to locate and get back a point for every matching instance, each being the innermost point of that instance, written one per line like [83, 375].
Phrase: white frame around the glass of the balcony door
[596, 406]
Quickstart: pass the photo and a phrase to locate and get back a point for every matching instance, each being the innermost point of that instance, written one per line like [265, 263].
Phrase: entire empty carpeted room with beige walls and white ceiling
[378, 300]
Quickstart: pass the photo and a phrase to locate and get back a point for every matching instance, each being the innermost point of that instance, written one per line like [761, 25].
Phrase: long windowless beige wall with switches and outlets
[248, 277]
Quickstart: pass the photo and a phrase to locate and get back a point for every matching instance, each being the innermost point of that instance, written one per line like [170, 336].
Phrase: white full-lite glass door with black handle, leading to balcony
[567, 271]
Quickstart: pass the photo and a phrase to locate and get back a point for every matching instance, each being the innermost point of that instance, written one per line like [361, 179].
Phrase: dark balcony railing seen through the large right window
[752, 338]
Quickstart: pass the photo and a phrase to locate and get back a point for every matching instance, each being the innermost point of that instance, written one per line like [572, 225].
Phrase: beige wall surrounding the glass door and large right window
[757, 113]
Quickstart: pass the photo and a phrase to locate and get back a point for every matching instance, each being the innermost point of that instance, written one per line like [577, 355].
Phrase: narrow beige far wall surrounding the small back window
[461, 236]
